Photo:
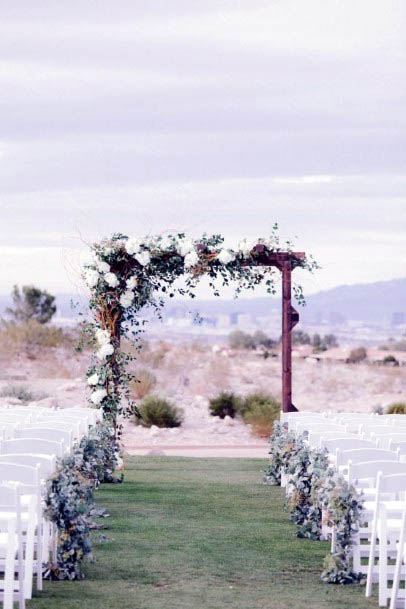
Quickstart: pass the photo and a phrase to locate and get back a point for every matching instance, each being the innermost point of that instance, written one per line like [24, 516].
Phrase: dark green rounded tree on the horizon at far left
[31, 303]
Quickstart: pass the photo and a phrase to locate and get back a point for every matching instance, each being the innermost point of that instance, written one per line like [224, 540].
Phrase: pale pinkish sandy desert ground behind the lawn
[189, 374]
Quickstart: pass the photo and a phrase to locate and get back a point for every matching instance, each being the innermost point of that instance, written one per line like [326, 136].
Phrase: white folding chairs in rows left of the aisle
[31, 441]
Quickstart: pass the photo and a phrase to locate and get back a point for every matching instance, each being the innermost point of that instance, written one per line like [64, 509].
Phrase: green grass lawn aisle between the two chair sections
[199, 534]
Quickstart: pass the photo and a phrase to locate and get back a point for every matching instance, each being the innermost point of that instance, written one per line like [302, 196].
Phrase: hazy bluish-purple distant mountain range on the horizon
[380, 302]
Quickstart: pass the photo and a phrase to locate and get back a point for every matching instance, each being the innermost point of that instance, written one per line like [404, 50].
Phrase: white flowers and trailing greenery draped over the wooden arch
[126, 274]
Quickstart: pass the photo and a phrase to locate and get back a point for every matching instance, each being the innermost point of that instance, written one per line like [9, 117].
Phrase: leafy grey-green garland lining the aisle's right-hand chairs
[318, 498]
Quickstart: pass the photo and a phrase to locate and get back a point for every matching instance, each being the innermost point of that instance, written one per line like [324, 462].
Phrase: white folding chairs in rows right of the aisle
[370, 451]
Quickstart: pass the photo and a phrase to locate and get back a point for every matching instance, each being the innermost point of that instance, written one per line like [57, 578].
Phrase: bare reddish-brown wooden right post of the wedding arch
[290, 317]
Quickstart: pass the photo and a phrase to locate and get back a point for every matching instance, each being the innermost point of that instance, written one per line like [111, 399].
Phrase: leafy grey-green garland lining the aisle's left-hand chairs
[69, 498]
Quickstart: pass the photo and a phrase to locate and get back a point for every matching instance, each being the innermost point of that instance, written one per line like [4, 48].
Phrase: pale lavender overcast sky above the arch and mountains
[199, 116]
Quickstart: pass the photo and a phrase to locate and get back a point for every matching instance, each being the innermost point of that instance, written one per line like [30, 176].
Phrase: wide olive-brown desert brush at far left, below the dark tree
[31, 337]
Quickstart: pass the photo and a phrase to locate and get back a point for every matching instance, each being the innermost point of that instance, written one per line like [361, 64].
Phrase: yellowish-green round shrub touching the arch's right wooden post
[260, 410]
